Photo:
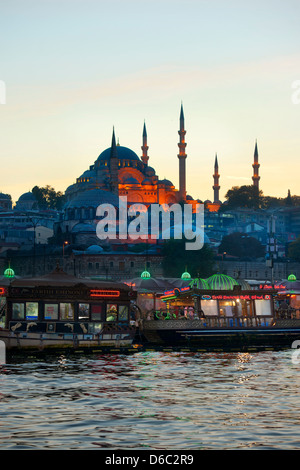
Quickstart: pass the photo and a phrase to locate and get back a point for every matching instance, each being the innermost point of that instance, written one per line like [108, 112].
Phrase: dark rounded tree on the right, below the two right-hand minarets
[241, 245]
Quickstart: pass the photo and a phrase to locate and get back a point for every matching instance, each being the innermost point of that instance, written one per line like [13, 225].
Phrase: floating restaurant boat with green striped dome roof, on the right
[221, 313]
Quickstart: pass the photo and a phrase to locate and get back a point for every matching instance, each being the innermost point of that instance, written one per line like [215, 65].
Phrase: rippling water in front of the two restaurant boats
[151, 401]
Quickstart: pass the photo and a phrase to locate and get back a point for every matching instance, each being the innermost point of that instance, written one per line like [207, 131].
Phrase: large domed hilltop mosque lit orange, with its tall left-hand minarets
[118, 171]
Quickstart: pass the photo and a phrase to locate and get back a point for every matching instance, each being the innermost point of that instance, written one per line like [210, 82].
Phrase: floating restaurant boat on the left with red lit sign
[62, 312]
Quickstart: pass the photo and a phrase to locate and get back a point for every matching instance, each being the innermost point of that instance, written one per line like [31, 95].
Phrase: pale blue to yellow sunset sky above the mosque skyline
[73, 69]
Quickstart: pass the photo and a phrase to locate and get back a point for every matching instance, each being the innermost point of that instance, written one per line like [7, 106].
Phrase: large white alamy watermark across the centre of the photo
[158, 221]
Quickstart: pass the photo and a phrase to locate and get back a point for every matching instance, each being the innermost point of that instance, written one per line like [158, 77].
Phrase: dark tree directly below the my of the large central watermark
[177, 260]
